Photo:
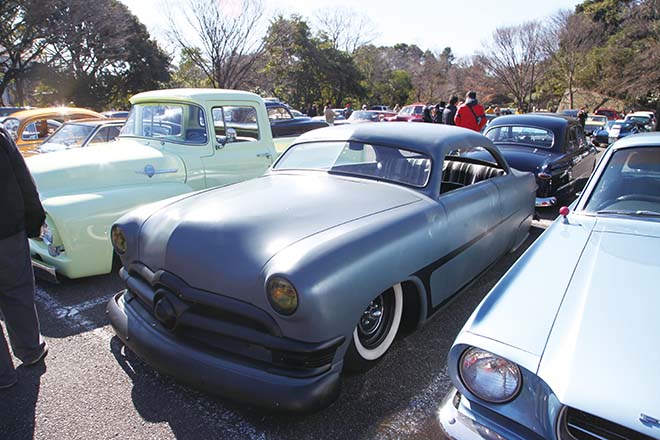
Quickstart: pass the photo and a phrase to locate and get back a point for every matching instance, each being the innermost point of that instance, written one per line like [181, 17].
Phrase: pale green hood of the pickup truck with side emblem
[119, 163]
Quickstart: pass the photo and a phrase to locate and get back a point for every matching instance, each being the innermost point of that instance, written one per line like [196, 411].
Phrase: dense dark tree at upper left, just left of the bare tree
[100, 55]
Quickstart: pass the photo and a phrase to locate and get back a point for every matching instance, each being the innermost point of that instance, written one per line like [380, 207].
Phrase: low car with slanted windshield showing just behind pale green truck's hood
[81, 133]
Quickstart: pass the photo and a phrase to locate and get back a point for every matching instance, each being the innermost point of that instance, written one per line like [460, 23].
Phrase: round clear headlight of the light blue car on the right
[489, 377]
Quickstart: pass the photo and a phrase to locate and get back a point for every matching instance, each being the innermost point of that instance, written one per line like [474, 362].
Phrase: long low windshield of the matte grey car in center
[359, 159]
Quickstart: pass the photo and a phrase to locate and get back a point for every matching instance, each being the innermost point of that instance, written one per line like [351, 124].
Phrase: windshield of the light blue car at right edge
[630, 185]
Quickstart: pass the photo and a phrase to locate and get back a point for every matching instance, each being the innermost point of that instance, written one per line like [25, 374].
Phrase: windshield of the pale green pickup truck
[182, 123]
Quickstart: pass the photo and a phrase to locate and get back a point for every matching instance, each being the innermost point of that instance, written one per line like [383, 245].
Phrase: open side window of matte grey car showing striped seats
[467, 166]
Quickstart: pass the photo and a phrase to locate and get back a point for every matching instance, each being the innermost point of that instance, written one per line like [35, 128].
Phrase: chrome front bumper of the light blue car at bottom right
[458, 421]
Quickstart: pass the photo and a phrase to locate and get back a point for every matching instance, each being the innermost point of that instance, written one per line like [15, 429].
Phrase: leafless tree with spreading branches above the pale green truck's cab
[226, 39]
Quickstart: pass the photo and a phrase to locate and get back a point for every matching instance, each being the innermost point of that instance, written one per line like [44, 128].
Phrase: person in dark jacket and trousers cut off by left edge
[22, 217]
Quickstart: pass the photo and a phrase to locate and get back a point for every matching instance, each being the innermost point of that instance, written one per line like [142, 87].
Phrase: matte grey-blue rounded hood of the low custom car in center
[220, 240]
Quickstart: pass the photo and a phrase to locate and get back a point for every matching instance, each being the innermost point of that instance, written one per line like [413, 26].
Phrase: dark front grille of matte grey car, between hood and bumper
[228, 327]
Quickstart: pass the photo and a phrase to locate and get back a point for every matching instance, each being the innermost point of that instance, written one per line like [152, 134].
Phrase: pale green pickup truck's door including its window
[241, 147]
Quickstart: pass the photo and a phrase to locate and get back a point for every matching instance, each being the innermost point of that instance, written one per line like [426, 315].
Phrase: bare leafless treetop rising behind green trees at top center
[344, 28]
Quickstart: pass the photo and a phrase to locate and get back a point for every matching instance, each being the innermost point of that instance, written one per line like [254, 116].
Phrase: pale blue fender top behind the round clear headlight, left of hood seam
[520, 310]
